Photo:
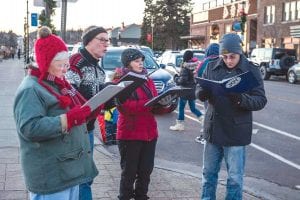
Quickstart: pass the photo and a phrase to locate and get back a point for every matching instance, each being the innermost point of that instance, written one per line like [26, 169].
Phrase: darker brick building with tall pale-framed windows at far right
[278, 24]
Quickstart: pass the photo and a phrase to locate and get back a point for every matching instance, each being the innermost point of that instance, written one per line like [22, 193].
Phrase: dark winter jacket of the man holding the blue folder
[227, 123]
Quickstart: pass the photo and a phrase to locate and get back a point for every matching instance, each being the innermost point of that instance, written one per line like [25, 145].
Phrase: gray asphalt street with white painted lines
[272, 157]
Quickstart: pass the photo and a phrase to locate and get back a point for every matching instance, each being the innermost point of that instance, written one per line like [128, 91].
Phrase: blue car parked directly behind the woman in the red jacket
[162, 79]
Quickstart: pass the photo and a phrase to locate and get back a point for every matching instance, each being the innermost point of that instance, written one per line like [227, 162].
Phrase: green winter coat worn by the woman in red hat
[51, 161]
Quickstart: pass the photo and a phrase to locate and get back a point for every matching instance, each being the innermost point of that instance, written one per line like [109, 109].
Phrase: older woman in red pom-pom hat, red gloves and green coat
[51, 125]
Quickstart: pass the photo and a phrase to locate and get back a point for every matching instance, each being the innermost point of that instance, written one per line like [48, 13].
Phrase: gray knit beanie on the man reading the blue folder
[231, 43]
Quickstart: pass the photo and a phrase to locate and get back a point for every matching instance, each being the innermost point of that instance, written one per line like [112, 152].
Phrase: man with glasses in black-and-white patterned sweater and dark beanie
[88, 78]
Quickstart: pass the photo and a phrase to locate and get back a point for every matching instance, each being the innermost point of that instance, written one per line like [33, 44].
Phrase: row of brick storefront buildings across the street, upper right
[270, 23]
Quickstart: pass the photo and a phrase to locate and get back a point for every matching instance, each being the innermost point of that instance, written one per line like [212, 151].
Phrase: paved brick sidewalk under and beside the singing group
[165, 184]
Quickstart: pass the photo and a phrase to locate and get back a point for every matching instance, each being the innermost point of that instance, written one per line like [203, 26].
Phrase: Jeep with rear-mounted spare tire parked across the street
[273, 61]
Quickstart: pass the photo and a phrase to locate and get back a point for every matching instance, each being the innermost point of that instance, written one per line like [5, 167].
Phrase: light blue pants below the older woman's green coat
[67, 194]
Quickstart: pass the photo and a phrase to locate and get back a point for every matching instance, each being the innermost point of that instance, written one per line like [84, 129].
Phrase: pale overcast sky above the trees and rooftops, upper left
[83, 13]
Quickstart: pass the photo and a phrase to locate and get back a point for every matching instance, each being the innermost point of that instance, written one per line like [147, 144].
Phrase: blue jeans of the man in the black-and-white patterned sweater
[85, 190]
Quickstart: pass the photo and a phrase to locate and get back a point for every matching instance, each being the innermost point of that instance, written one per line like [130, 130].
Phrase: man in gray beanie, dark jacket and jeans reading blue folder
[228, 119]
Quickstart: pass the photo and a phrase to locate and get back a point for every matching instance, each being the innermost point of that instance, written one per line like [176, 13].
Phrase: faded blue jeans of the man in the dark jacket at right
[234, 157]
